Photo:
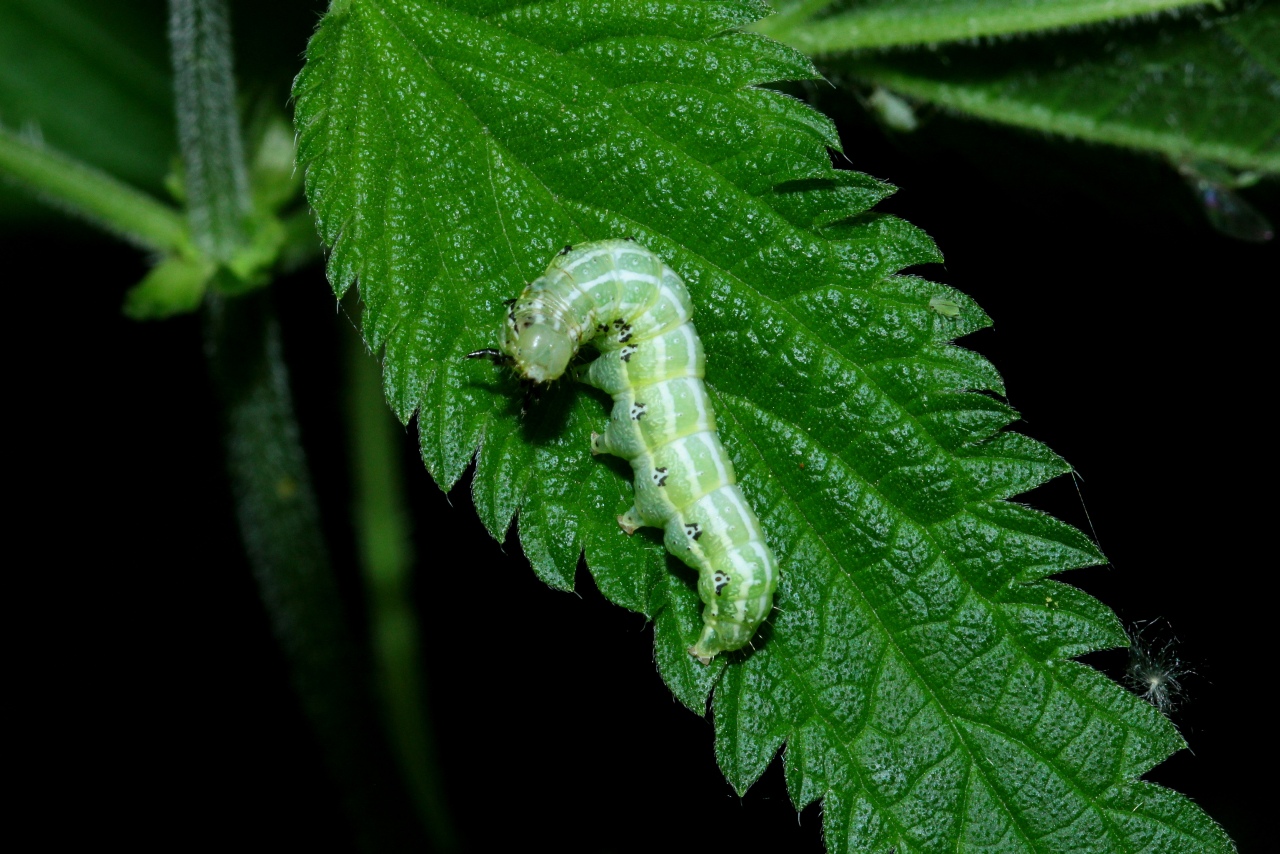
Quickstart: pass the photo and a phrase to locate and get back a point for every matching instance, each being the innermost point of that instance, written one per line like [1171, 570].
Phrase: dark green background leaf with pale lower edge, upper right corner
[1190, 90]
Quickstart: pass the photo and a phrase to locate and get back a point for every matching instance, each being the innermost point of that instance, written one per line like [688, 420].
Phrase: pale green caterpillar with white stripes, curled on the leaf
[636, 310]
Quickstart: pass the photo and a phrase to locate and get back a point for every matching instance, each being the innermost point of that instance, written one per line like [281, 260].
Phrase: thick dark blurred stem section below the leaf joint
[280, 524]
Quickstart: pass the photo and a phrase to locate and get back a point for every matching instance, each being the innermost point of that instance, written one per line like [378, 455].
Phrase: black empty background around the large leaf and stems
[1133, 339]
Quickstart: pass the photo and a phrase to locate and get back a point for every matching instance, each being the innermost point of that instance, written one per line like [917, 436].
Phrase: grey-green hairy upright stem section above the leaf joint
[209, 134]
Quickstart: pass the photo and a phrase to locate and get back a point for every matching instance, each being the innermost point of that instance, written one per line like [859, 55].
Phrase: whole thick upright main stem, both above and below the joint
[276, 506]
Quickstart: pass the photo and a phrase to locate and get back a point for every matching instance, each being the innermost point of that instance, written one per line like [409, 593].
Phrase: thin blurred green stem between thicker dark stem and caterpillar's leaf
[387, 558]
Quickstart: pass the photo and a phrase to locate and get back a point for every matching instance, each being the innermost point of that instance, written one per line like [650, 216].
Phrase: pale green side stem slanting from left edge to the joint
[94, 195]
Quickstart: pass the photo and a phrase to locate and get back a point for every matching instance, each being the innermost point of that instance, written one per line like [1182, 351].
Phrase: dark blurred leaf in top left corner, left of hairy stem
[93, 81]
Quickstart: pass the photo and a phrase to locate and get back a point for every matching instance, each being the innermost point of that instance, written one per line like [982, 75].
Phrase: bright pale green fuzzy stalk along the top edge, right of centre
[824, 28]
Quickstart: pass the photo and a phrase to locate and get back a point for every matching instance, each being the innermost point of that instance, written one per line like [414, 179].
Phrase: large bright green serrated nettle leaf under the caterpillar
[917, 672]
